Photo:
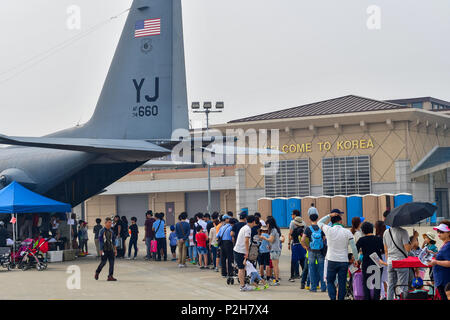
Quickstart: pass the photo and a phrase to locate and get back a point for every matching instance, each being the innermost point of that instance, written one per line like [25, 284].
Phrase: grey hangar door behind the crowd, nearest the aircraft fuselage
[133, 205]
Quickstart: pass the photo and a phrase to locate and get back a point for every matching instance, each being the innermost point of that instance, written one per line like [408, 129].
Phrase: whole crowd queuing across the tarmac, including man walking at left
[324, 253]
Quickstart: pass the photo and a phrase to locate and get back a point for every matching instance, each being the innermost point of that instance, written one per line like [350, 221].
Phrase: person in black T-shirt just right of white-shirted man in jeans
[369, 244]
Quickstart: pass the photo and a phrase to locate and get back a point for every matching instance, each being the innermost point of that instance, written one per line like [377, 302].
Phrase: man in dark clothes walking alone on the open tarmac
[108, 250]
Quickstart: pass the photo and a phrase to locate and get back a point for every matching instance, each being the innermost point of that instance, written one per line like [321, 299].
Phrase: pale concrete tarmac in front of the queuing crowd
[139, 279]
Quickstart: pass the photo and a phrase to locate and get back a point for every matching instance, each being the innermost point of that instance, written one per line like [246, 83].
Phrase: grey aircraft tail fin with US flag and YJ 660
[144, 95]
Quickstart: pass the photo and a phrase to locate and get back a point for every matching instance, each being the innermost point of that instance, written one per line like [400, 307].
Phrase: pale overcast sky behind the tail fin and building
[256, 55]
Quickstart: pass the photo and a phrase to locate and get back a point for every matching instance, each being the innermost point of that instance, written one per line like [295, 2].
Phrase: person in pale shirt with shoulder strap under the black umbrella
[396, 247]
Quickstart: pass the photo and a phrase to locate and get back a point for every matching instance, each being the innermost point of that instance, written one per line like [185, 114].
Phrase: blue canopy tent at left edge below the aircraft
[15, 198]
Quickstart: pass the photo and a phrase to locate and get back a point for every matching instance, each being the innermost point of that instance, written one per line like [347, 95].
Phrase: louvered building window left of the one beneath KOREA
[287, 178]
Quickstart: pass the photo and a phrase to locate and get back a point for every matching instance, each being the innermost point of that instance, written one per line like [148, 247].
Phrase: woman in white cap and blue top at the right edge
[441, 263]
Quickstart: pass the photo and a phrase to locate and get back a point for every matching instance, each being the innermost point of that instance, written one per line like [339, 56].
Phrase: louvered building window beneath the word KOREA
[346, 175]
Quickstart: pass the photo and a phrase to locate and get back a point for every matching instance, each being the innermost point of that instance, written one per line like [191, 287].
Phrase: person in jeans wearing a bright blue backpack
[316, 256]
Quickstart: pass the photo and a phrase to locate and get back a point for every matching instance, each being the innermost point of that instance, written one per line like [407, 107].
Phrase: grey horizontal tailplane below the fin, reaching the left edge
[101, 146]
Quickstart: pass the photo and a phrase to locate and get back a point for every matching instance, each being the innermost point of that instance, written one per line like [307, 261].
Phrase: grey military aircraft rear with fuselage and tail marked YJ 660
[142, 102]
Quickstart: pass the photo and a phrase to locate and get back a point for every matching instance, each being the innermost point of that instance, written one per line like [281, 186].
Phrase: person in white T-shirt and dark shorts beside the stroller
[242, 249]
